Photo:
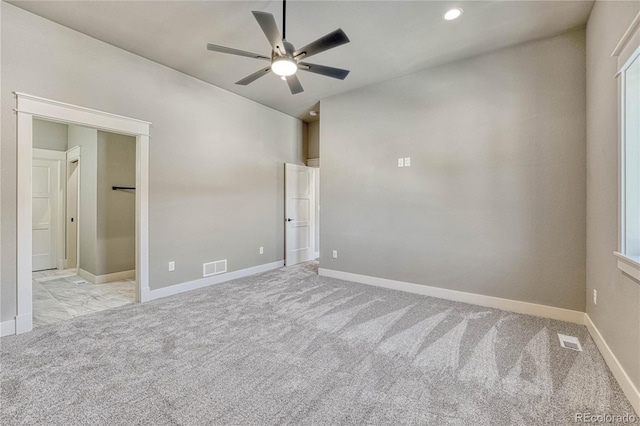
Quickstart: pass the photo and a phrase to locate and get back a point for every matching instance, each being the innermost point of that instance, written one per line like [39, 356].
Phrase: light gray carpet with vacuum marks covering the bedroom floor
[289, 347]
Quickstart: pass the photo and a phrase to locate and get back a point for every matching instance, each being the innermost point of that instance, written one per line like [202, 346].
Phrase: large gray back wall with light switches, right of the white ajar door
[494, 201]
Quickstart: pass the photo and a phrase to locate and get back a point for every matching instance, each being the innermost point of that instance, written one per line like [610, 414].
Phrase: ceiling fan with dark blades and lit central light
[285, 58]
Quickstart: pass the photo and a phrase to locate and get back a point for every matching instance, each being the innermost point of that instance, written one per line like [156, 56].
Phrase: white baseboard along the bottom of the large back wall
[461, 296]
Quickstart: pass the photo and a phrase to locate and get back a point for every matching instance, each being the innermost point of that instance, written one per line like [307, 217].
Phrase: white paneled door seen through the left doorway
[45, 198]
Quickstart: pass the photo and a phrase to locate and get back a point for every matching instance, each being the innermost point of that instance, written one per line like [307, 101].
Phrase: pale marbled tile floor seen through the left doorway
[59, 295]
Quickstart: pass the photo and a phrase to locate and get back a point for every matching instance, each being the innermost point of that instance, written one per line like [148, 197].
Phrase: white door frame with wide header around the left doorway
[28, 107]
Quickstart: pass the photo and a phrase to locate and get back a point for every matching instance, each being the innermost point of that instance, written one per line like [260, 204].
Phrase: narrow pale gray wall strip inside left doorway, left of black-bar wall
[87, 140]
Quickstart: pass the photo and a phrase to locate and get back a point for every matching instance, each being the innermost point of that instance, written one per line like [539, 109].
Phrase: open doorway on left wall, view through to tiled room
[83, 221]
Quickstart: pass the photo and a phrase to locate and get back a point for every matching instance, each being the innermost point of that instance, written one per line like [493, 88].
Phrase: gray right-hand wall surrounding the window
[617, 314]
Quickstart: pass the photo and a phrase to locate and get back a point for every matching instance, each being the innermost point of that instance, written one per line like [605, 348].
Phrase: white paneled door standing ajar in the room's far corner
[299, 214]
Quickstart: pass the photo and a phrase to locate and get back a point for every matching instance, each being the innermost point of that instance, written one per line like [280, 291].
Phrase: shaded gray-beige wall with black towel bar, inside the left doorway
[116, 242]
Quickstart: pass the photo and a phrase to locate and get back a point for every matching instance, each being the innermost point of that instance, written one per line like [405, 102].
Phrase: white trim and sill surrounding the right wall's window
[628, 264]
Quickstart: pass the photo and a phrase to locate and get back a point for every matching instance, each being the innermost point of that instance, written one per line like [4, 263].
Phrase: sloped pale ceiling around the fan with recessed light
[388, 38]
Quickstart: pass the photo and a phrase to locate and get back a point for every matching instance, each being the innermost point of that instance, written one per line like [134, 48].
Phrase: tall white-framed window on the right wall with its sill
[629, 76]
